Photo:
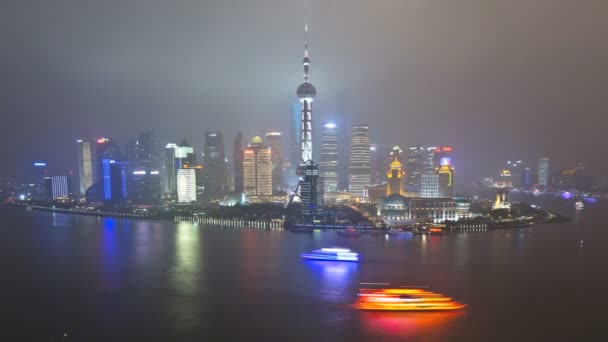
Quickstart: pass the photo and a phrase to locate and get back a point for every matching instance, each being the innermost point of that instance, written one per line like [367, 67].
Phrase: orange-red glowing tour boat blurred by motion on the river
[404, 299]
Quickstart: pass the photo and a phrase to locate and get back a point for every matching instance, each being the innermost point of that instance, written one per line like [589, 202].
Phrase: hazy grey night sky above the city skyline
[496, 79]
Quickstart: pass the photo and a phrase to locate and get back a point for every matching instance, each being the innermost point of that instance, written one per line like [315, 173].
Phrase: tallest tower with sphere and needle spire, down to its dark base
[310, 186]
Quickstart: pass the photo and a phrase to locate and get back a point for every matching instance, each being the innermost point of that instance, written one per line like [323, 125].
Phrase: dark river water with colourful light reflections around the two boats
[103, 279]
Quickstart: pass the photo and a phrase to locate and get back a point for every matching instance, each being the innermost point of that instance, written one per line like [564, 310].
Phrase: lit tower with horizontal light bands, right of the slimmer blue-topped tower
[360, 161]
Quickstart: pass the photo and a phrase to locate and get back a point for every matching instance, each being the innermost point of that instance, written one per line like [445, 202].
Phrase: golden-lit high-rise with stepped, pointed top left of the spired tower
[257, 169]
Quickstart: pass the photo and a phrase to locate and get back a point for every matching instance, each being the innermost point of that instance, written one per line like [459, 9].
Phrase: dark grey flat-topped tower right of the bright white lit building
[214, 161]
